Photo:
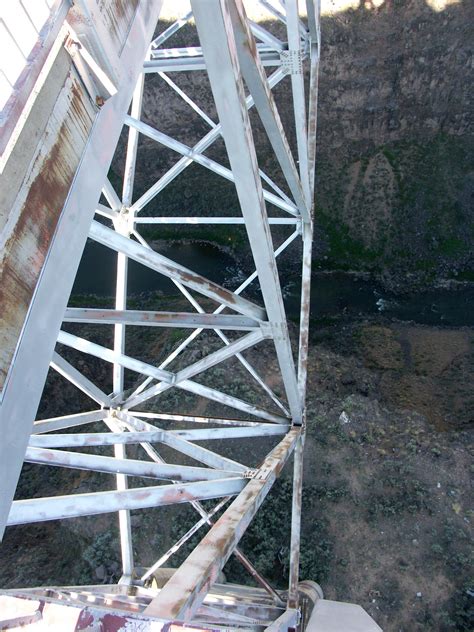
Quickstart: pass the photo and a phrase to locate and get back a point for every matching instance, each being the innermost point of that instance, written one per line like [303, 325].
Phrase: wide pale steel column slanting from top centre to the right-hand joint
[218, 44]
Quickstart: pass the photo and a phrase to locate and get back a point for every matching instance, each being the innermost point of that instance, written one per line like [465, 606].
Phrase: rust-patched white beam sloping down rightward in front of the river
[169, 268]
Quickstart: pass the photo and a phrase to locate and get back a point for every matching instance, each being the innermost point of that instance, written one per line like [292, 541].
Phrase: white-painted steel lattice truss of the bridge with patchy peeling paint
[244, 62]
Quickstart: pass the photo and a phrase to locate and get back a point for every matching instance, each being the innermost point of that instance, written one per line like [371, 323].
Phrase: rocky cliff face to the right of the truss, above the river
[395, 139]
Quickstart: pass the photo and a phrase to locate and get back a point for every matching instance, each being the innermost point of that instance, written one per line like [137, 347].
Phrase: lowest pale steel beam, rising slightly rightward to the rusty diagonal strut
[73, 506]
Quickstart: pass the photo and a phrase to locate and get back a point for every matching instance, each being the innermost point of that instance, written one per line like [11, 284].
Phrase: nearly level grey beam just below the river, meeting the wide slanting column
[160, 319]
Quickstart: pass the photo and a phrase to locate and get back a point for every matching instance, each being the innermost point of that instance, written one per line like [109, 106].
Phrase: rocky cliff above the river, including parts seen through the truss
[395, 171]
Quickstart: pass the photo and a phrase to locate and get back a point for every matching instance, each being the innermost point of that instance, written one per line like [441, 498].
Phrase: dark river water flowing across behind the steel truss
[331, 293]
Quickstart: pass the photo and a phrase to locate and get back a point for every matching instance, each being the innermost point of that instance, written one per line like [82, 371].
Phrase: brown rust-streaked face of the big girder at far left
[25, 250]
